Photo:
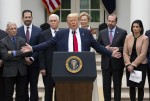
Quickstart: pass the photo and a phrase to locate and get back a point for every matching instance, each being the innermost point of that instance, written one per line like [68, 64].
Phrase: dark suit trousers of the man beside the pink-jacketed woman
[107, 76]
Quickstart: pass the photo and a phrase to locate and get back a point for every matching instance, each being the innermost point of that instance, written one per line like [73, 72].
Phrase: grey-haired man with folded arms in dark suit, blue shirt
[15, 70]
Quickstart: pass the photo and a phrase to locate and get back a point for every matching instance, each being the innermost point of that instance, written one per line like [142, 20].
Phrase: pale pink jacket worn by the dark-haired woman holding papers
[141, 49]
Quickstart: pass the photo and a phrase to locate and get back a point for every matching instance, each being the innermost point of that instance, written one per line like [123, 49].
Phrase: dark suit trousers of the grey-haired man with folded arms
[20, 83]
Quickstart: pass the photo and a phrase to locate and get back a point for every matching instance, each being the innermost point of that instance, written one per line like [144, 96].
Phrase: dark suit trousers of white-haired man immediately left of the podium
[49, 85]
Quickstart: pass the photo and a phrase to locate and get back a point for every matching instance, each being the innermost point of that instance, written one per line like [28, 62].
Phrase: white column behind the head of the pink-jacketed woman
[140, 10]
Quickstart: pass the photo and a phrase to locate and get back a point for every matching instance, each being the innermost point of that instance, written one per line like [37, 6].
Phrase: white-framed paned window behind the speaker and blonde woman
[92, 7]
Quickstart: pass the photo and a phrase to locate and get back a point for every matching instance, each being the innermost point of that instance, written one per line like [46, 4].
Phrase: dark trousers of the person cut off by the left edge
[1, 85]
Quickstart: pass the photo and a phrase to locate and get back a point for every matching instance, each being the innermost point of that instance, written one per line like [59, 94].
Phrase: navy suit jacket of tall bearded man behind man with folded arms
[34, 39]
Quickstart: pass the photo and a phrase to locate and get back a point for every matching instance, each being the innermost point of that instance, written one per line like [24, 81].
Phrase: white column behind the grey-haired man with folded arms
[10, 11]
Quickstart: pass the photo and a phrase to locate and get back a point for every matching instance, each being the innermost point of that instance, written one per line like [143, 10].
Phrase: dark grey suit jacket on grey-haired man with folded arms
[13, 64]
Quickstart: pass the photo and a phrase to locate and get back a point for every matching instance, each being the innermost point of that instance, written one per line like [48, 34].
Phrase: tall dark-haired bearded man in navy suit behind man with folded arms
[31, 34]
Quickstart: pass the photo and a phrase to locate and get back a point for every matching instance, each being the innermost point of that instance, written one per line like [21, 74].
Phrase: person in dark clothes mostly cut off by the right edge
[148, 70]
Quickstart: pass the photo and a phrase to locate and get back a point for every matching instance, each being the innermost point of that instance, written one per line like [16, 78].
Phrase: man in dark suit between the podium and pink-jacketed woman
[113, 39]
